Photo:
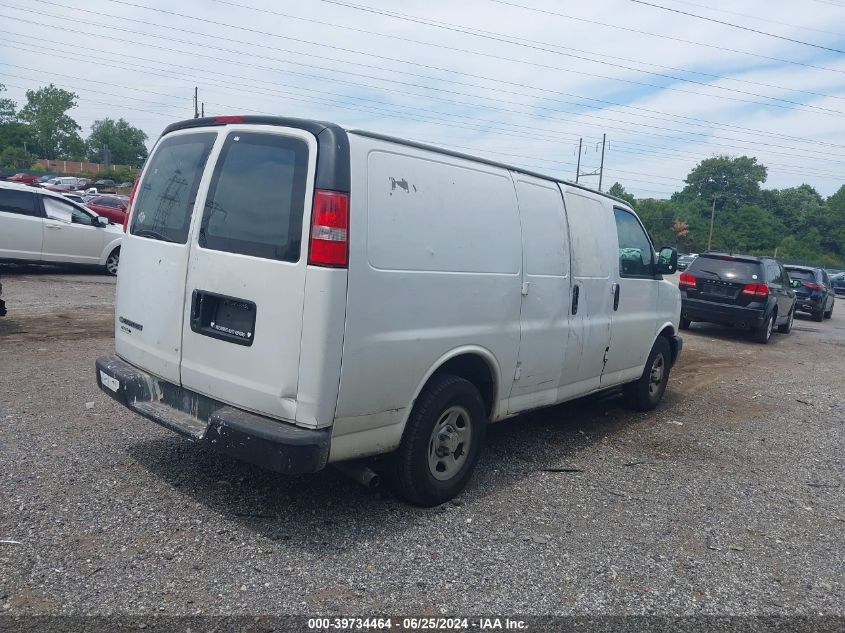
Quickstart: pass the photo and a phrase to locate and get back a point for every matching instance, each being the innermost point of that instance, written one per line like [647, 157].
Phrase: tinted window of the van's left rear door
[166, 195]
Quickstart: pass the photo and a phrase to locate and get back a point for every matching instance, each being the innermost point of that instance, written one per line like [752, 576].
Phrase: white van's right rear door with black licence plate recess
[244, 296]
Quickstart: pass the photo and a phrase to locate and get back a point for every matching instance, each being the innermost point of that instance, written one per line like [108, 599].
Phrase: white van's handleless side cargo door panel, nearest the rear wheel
[544, 316]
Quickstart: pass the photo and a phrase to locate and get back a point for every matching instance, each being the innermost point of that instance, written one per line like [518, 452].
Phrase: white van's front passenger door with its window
[634, 300]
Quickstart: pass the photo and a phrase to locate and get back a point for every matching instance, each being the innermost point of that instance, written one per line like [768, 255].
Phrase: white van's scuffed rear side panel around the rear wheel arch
[434, 266]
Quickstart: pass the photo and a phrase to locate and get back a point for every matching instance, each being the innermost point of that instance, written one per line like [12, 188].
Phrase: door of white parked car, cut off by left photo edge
[21, 225]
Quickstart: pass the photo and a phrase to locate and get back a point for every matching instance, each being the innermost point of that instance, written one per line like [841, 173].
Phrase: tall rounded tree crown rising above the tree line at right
[733, 182]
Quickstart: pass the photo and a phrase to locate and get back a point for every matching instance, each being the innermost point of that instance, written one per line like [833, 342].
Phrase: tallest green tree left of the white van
[55, 133]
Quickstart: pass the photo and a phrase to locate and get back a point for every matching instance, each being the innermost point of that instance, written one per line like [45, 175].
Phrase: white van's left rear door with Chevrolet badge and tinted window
[154, 254]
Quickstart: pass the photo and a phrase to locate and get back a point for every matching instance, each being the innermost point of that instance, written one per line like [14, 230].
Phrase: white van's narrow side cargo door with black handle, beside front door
[592, 242]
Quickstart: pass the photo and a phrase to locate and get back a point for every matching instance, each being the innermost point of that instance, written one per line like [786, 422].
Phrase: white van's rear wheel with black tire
[414, 477]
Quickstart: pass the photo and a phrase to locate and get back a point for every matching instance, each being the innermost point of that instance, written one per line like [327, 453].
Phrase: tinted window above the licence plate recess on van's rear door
[256, 199]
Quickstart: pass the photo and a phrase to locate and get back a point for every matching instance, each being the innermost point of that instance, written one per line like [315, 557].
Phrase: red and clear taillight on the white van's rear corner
[329, 229]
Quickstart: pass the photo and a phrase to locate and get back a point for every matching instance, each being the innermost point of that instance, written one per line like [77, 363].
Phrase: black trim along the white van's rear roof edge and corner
[332, 144]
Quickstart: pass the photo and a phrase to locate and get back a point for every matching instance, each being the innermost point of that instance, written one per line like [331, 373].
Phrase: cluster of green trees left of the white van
[42, 128]
